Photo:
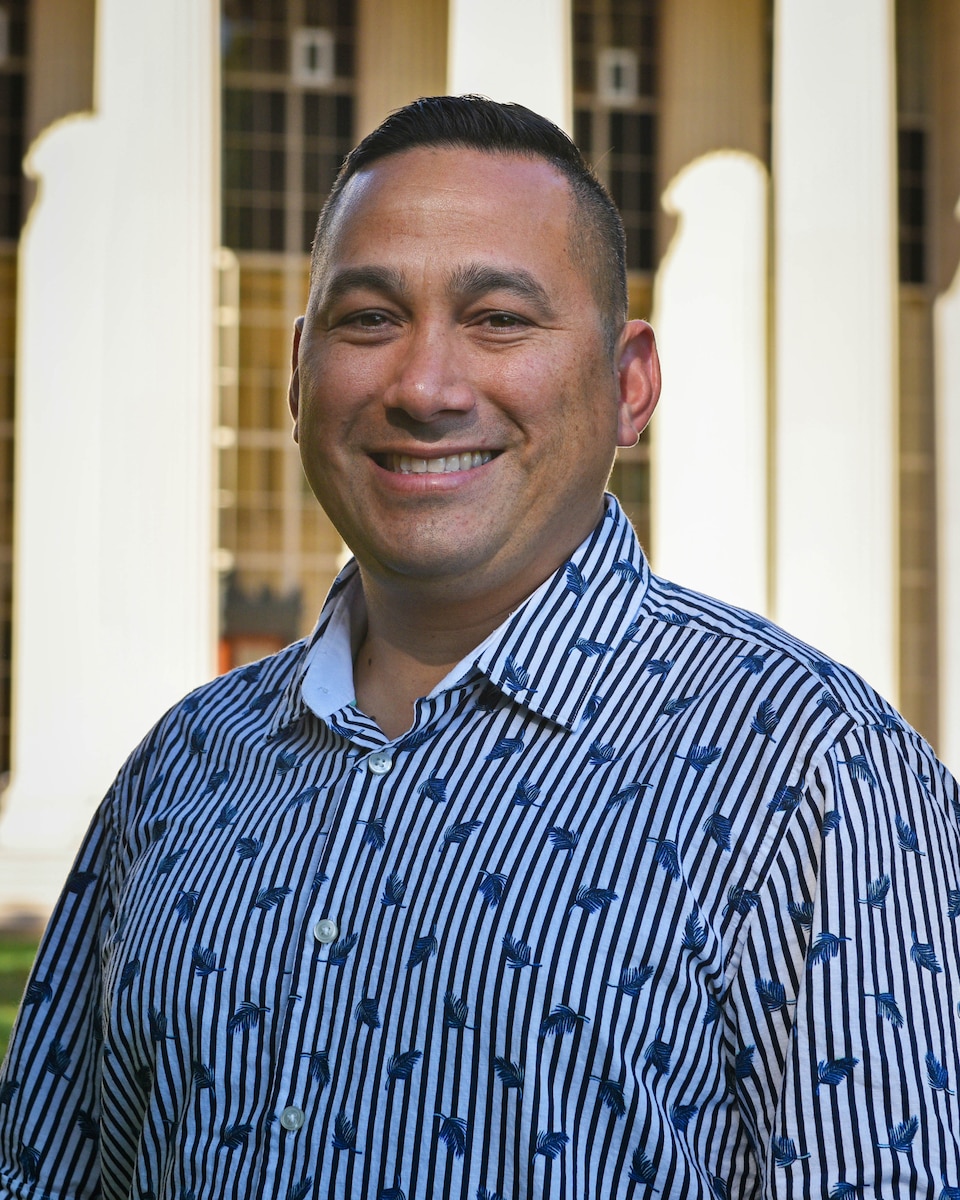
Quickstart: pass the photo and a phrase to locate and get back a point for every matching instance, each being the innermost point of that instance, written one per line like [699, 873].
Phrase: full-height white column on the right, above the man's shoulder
[836, 328]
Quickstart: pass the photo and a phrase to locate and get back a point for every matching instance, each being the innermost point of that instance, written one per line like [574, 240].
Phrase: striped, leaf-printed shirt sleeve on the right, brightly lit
[849, 981]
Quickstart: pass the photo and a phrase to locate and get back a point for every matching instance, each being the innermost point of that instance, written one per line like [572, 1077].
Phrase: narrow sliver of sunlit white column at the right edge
[947, 367]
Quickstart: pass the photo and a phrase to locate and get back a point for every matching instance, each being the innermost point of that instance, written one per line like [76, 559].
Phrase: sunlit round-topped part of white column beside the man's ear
[710, 451]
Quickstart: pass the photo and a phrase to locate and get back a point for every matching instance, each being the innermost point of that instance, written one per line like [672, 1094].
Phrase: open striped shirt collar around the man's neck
[549, 656]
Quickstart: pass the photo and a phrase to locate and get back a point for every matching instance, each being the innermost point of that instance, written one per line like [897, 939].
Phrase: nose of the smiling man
[430, 379]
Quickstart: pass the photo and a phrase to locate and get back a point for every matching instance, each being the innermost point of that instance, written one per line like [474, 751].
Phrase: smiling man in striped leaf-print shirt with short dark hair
[530, 874]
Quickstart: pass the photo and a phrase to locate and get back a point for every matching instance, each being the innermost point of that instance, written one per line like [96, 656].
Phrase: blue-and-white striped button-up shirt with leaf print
[651, 899]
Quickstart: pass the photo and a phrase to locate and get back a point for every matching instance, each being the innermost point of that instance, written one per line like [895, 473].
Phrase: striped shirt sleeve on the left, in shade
[50, 1083]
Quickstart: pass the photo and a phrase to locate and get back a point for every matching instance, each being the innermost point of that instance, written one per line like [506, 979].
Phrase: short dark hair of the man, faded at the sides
[479, 124]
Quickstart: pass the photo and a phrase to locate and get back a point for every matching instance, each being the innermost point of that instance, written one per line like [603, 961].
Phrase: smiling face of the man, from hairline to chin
[455, 407]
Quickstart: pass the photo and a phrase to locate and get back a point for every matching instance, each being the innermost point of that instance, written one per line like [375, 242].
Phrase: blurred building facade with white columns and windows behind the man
[789, 175]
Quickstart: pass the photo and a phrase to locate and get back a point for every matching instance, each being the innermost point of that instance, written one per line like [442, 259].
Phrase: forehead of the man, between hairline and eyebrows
[445, 205]
